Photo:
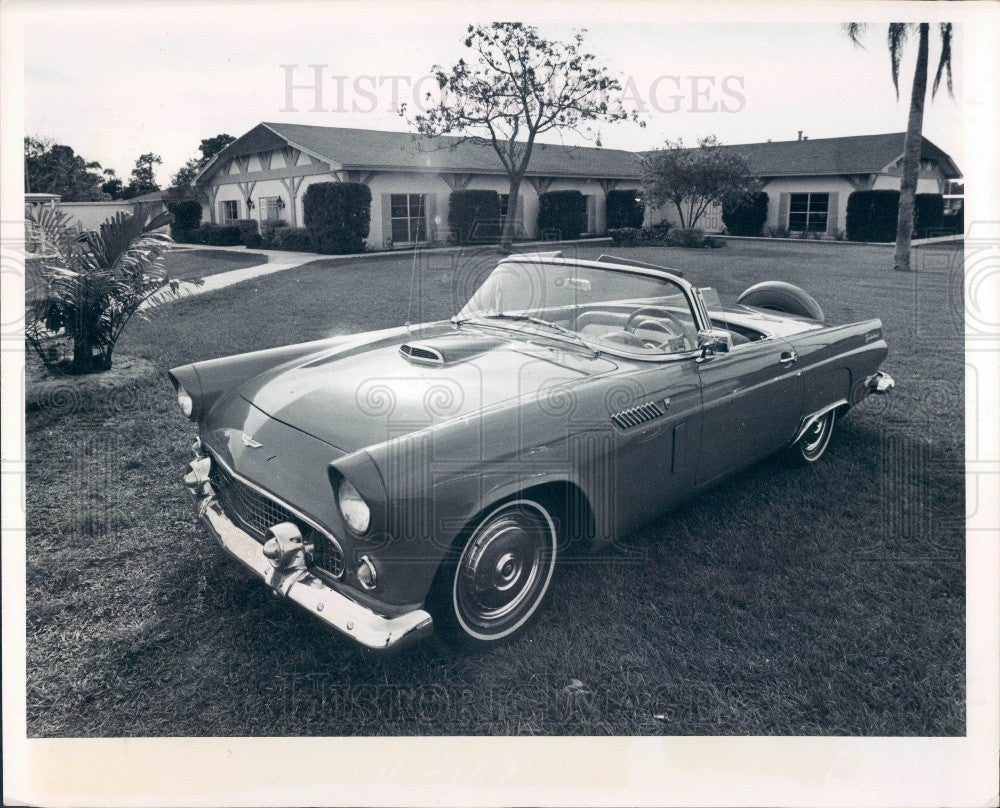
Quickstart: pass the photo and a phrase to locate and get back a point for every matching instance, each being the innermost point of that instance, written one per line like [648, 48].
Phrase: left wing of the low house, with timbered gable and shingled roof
[264, 175]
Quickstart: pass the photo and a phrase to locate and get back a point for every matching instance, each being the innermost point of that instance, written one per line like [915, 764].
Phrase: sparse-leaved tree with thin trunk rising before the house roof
[515, 86]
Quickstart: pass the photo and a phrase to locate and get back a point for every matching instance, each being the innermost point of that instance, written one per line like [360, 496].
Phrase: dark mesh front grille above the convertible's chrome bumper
[256, 512]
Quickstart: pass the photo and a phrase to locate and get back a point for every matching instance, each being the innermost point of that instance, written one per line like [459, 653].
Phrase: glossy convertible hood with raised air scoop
[362, 396]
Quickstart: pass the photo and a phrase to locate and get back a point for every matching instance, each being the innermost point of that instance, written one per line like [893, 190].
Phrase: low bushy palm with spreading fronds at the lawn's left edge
[85, 287]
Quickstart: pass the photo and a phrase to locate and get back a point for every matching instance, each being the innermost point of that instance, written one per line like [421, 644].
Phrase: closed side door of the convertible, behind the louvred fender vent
[751, 405]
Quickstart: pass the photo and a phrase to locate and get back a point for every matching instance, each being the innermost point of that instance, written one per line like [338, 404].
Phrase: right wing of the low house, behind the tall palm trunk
[808, 181]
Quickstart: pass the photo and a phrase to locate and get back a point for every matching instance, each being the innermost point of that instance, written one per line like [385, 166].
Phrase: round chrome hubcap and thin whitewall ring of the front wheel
[503, 572]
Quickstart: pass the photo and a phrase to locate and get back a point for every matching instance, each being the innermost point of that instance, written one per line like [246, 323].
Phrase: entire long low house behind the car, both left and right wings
[264, 174]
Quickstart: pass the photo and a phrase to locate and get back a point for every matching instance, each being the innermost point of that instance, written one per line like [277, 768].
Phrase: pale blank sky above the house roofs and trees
[115, 81]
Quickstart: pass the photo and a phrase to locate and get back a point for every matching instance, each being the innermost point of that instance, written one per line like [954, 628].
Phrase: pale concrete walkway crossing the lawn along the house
[280, 260]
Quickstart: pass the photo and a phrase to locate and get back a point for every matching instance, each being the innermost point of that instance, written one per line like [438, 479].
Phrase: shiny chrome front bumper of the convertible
[294, 580]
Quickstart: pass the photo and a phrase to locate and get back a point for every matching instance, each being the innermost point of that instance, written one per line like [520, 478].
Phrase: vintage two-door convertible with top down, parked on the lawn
[431, 476]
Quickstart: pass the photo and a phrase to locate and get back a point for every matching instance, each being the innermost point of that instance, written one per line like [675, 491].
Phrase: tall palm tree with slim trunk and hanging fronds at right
[898, 34]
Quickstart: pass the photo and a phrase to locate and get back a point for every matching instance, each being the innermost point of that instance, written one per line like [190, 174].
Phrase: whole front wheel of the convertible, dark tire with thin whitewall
[500, 578]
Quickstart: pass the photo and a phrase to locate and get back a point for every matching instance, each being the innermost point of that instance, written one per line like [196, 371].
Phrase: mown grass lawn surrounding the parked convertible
[824, 601]
